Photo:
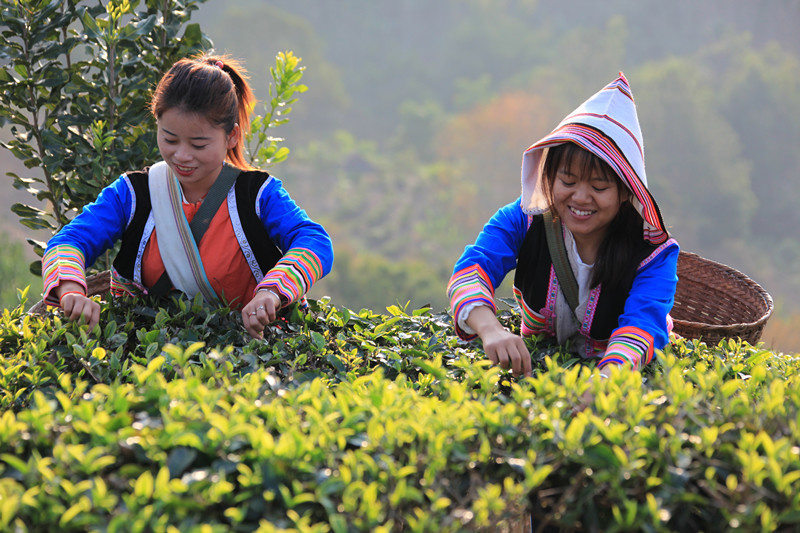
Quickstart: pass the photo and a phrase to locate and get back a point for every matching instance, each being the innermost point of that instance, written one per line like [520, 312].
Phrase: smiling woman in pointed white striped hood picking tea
[595, 267]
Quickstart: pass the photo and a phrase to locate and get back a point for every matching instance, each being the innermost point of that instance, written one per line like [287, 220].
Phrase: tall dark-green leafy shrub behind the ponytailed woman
[76, 81]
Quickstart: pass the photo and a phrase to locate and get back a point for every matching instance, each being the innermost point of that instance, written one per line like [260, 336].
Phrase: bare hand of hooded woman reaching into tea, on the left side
[501, 346]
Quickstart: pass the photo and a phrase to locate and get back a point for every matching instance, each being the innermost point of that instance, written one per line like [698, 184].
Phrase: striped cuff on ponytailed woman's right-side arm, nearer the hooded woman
[294, 274]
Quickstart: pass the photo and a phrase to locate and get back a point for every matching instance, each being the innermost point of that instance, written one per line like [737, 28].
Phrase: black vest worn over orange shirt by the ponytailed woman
[246, 188]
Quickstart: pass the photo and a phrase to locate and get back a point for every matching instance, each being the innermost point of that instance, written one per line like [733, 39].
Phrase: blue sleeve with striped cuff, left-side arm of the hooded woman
[484, 264]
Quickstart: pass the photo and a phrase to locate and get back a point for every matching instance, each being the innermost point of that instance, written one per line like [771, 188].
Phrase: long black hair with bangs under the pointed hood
[617, 253]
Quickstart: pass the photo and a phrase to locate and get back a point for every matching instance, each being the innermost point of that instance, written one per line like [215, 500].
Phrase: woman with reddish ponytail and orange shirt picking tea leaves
[251, 247]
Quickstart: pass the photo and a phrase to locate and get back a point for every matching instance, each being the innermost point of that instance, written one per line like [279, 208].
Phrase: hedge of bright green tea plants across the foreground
[168, 417]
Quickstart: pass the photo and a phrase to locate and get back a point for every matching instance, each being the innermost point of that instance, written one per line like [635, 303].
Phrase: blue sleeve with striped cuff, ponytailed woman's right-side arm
[307, 247]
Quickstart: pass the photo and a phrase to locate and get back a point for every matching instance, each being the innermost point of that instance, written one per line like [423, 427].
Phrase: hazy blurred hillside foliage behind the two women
[411, 132]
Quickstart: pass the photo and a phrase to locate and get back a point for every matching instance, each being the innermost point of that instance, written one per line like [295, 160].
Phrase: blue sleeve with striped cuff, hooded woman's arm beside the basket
[644, 325]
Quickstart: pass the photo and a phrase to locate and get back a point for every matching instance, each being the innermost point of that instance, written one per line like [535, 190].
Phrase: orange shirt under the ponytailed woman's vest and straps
[223, 260]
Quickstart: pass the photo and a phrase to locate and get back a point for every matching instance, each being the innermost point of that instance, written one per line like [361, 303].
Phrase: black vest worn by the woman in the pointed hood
[532, 278]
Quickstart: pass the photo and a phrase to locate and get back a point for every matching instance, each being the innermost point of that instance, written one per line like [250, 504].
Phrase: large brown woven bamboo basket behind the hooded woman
[714, 301]
